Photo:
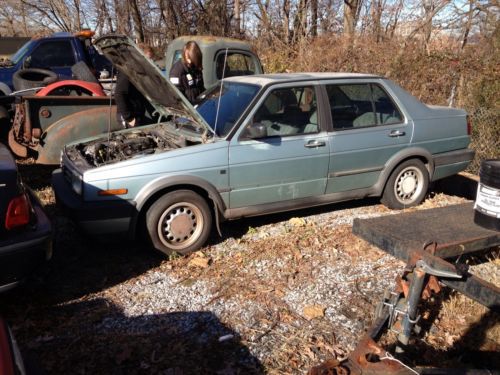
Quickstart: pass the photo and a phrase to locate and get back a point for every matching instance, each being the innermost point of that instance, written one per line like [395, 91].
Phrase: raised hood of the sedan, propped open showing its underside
[148, 79]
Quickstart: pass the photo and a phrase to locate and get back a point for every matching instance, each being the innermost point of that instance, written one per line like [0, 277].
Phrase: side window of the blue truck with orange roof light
[53, 54]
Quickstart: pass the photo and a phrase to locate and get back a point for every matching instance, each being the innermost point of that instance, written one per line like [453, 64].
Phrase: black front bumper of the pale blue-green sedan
[100, 219]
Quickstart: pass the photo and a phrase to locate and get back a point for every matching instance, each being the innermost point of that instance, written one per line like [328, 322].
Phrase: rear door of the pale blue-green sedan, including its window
[368, 128]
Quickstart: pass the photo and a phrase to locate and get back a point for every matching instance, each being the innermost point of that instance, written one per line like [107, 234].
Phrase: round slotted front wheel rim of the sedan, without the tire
[180, 225]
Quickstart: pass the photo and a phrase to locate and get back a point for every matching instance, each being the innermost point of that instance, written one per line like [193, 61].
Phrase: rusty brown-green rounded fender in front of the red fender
[79, 125]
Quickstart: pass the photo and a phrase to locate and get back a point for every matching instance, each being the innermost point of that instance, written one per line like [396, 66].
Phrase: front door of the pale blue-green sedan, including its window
[281, 153]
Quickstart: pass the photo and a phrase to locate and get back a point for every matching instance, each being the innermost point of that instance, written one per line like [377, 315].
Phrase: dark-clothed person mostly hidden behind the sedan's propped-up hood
[131, 104]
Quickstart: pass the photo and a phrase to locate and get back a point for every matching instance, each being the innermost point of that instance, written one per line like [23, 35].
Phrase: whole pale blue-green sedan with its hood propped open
[255, 145]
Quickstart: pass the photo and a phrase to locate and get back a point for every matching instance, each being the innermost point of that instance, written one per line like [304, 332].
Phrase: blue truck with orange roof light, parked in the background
[56, 53]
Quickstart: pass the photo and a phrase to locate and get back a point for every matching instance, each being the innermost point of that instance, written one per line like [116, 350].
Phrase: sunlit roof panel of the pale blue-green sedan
[265, 79]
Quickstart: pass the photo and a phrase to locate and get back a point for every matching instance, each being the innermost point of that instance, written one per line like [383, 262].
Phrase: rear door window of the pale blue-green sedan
[361, 105]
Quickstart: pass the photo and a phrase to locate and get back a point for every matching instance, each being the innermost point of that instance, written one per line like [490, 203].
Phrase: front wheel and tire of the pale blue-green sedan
[179, 221]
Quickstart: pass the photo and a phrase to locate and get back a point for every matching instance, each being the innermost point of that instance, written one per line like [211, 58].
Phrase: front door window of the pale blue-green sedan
[286, 111]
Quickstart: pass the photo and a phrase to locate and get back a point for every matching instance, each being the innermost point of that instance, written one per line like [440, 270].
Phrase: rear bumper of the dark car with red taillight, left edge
[24, 250]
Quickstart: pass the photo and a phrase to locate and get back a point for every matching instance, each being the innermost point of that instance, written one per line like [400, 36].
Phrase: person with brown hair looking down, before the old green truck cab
[187, 73]
